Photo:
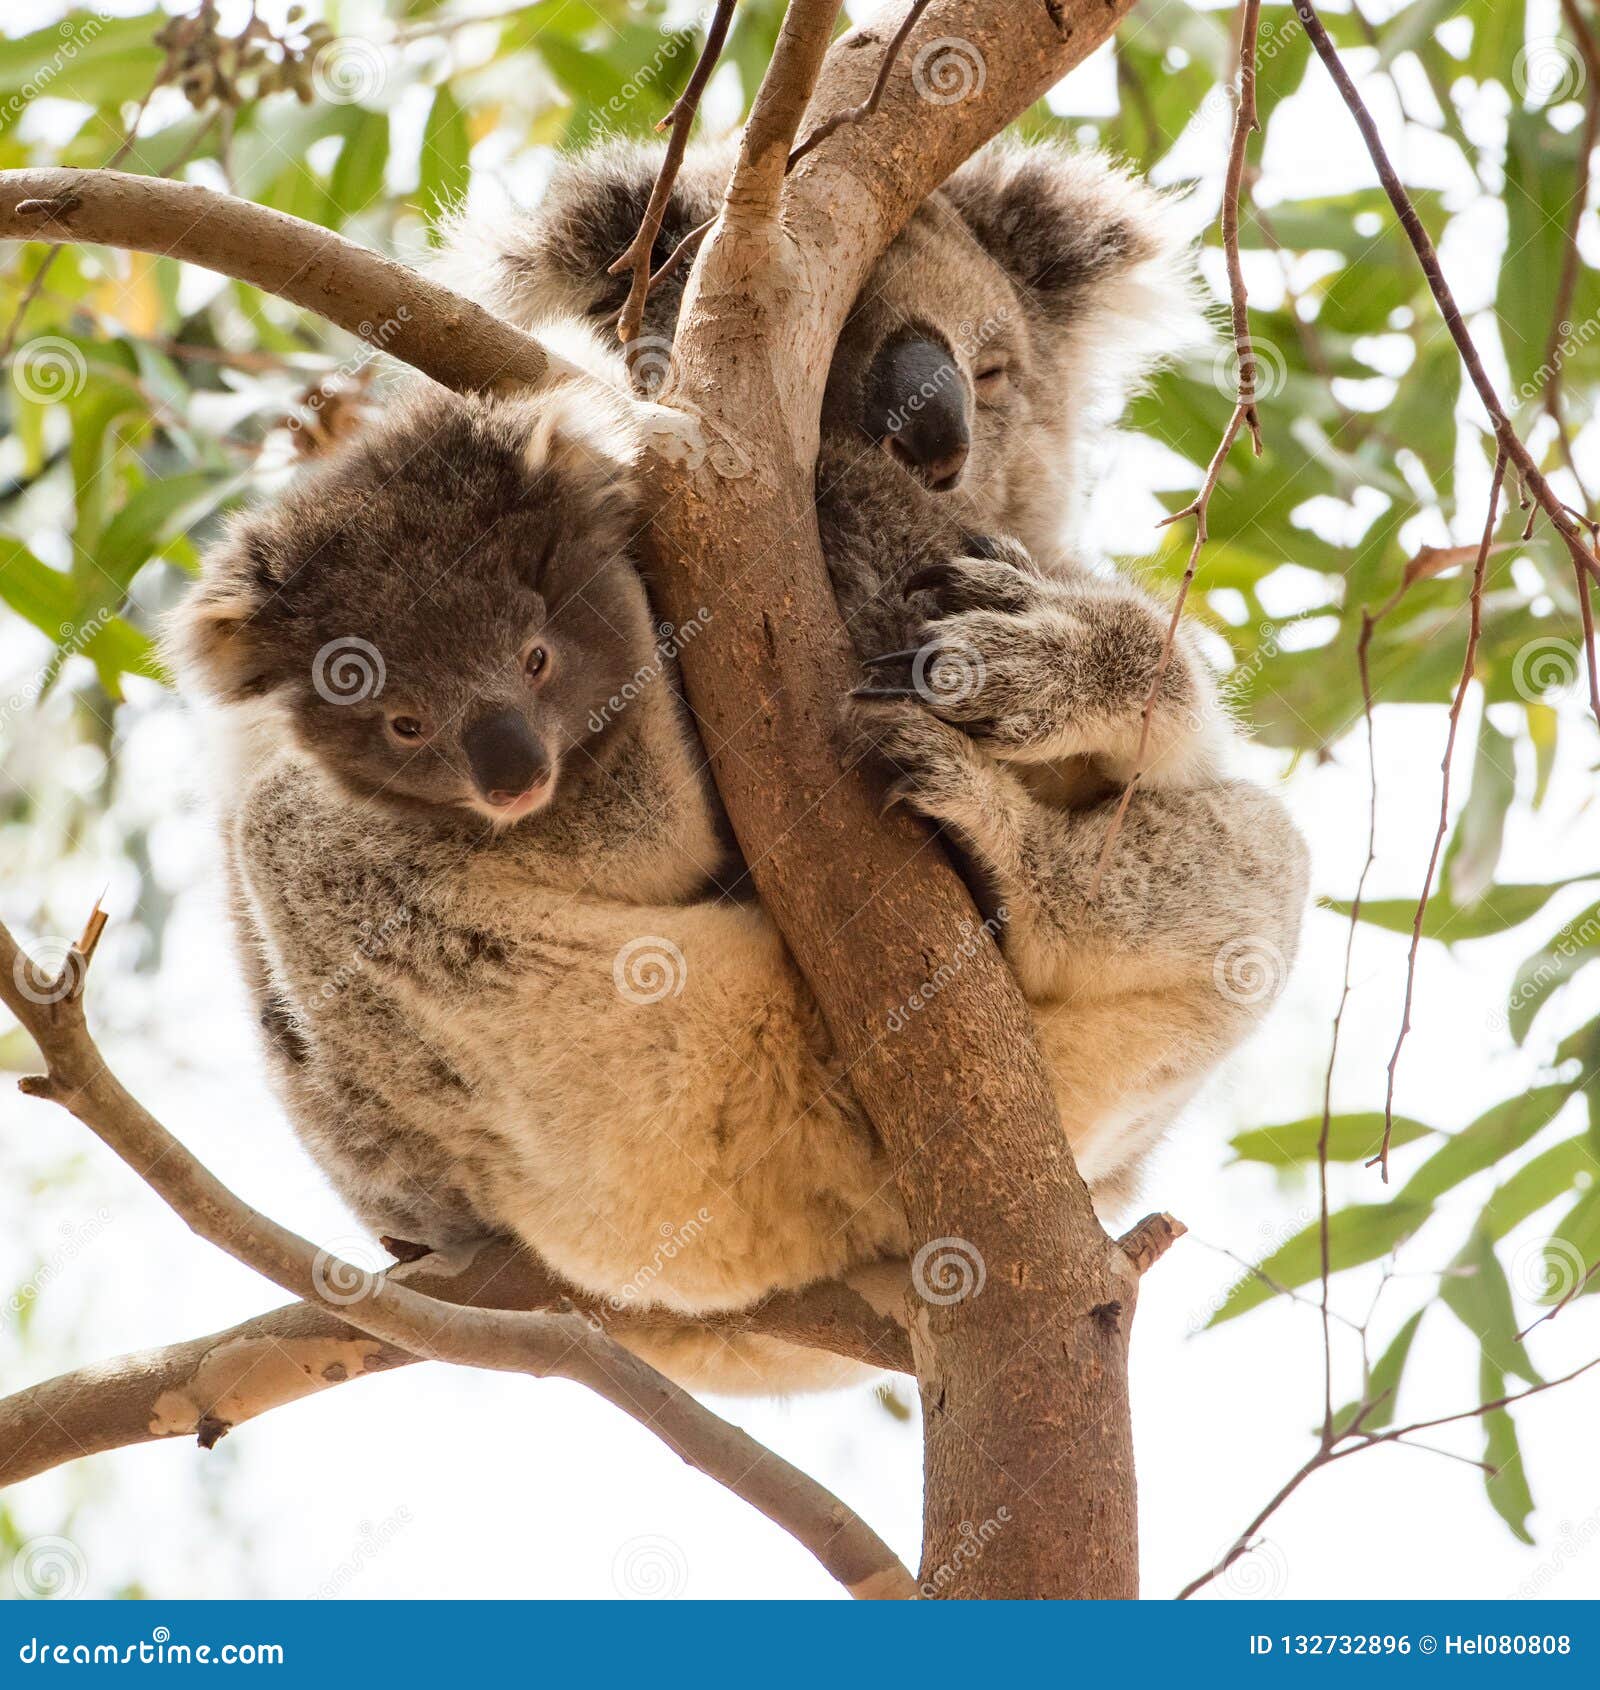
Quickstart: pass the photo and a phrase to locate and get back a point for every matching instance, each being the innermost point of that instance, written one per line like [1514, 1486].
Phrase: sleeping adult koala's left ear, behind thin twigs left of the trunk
[553, 261]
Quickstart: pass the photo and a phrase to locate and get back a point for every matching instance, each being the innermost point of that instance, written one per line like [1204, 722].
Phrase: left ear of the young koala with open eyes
[217, 641]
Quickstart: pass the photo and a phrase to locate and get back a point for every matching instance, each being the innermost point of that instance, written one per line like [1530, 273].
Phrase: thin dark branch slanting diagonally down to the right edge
[1586, 562]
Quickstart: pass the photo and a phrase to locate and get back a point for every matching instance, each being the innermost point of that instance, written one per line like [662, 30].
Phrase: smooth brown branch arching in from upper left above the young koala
[383, 303]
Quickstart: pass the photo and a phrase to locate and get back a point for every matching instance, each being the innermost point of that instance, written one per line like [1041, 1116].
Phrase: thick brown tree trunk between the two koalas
[1025, 1380]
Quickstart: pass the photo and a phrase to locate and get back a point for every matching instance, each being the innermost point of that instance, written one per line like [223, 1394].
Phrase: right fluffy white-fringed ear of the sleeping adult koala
[1082, 239]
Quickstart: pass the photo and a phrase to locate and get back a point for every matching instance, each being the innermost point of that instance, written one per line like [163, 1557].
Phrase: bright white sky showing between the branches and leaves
[430, 1483]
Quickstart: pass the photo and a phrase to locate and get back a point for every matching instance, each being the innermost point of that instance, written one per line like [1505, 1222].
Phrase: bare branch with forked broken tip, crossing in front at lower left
[548, 1346]
